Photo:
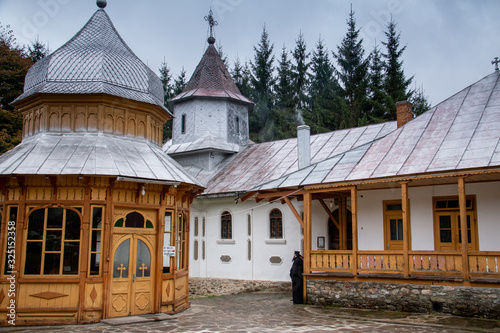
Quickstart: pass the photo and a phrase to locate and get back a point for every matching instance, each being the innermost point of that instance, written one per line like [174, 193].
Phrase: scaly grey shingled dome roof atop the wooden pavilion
[95, 60]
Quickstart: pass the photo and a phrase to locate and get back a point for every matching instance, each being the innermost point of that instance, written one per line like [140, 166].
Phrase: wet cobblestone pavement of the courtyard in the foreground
[274, 312]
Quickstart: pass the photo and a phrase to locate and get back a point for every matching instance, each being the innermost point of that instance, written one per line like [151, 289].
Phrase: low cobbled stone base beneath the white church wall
[203, 287]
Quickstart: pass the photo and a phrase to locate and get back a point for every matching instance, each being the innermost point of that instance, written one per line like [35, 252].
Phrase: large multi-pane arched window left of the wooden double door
[53, 242]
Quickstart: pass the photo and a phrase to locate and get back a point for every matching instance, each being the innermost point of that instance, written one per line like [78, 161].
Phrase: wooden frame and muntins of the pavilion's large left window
[44, 251]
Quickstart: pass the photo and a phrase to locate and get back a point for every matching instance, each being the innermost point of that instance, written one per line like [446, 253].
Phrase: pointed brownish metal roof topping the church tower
[211, 79]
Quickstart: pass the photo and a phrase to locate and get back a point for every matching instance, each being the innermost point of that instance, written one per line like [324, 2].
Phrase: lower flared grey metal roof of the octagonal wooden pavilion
[92, 155]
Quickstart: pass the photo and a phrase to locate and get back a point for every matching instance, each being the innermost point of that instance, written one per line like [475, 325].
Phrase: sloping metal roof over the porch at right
[460, 133]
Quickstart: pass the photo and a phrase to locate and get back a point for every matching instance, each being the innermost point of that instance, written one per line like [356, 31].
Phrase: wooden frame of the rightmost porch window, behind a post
[472, 209]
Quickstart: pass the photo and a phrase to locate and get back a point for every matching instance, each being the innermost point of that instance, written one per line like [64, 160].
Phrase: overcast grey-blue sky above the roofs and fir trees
[450, 43]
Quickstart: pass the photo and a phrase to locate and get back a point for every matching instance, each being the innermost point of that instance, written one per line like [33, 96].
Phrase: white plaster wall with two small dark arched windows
[259, 267]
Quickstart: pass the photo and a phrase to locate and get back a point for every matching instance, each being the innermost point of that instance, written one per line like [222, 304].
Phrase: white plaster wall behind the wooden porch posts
[370, 214]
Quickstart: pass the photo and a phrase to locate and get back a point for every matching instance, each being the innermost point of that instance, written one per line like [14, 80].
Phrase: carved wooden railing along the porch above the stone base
[435, 263]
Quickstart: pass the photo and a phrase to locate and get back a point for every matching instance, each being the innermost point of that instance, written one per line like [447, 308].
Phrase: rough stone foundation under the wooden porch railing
[462, 301]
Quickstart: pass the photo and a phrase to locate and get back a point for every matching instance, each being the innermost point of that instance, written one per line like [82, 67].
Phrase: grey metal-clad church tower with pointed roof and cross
[210, 115]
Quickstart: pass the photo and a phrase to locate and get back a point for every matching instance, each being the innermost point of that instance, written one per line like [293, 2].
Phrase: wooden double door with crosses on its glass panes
[132, 280]
